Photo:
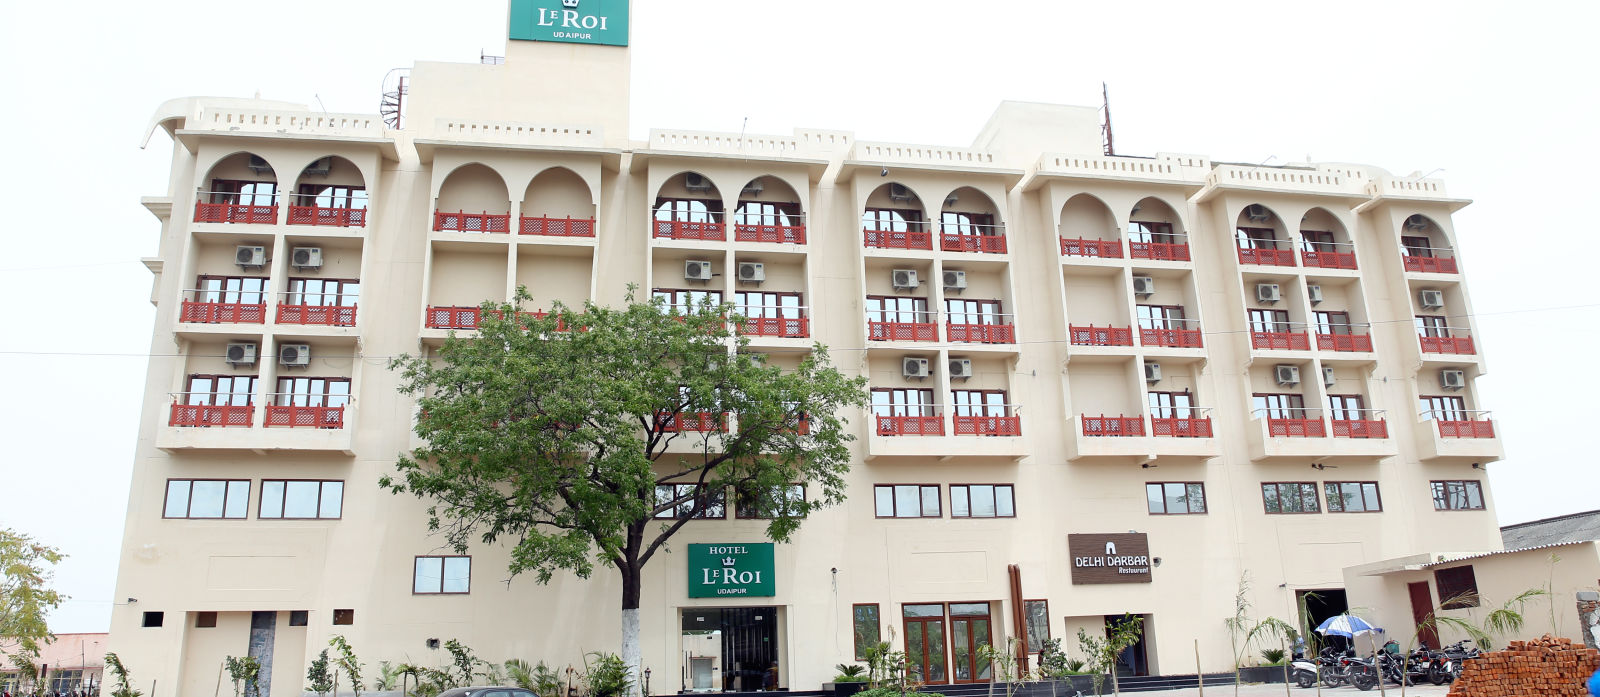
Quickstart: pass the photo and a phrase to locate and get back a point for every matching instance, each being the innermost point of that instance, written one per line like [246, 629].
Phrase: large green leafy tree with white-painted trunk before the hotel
[551, 432]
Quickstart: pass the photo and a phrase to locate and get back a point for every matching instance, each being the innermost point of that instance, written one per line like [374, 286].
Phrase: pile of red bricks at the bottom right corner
[1545, 667]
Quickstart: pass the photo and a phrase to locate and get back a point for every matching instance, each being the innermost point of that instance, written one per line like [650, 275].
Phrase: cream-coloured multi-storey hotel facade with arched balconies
[486, 140]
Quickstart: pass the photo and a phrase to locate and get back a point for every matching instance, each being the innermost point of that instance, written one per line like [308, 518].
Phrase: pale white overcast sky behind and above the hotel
[1500, 97]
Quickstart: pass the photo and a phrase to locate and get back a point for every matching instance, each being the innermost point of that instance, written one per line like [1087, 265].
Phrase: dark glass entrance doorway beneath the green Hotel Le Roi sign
[730, 650]
